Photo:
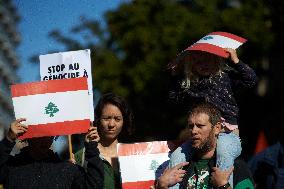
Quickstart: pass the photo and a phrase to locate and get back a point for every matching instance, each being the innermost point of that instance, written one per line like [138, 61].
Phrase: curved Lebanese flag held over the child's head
[215, 43]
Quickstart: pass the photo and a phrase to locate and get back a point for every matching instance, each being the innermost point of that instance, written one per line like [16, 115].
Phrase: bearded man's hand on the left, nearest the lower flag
[171, 176]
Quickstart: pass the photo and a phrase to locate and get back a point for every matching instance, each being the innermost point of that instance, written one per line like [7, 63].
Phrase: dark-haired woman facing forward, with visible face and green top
[113, 119]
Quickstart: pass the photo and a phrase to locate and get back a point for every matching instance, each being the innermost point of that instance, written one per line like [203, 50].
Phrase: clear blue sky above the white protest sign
[38, 17]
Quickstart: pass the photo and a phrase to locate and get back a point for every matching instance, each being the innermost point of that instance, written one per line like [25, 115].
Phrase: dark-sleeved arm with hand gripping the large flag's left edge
[7, 144]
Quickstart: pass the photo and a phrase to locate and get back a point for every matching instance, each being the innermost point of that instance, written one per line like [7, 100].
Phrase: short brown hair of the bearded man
[205, 107]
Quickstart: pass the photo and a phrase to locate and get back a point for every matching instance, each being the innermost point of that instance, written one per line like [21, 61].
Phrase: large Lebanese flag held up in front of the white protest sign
[55, 107]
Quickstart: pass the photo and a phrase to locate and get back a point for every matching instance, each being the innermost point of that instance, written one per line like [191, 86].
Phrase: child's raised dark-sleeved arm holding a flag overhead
[245, 75]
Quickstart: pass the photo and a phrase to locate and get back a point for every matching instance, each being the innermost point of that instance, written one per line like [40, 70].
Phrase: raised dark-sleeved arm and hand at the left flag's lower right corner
[93, 177]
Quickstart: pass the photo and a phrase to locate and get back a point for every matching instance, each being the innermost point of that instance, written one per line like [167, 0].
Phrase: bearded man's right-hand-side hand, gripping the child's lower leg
[219, 177]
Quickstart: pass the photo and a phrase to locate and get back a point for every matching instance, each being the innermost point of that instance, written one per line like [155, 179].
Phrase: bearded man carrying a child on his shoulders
[192, 165]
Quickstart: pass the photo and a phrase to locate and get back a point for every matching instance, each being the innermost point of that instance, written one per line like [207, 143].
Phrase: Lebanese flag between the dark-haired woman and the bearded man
[142, 163]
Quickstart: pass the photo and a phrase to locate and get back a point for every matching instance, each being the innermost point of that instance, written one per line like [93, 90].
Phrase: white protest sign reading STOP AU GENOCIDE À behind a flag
[65, 65]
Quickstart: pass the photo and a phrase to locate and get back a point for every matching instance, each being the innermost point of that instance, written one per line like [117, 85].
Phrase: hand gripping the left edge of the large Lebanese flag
[16, 129]
